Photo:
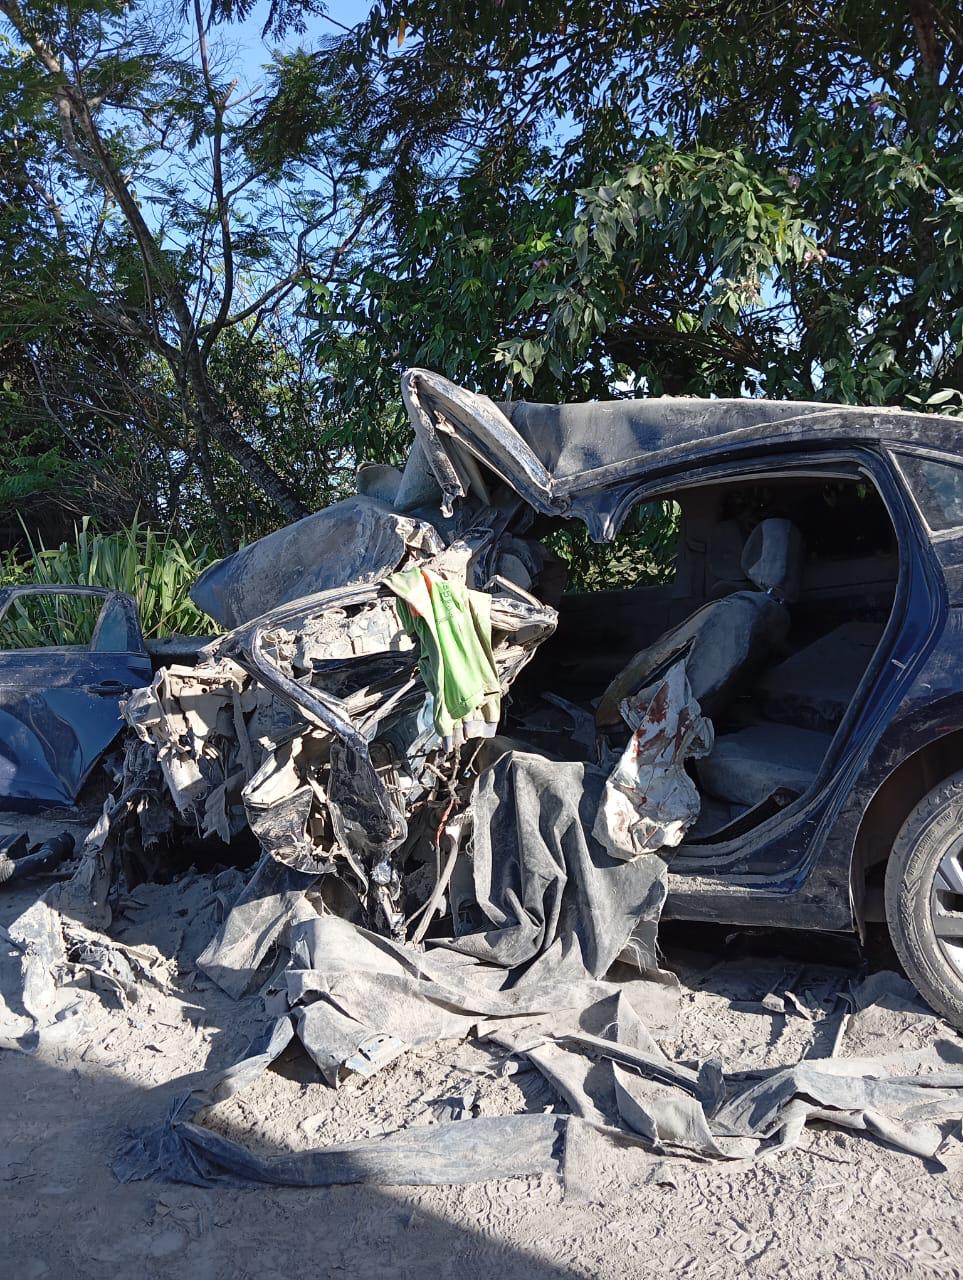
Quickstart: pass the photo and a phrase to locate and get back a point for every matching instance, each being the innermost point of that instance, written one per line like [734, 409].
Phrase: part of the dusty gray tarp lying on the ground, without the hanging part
[358, 1002]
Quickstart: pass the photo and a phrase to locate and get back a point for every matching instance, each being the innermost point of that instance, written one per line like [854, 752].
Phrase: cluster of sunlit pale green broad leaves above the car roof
[701, 216]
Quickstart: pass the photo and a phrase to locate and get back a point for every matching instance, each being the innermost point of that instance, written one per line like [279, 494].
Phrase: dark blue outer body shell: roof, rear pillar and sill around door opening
[818, 863]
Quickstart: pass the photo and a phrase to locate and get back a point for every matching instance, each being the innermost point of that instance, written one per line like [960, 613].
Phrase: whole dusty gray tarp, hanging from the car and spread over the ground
[551, 921]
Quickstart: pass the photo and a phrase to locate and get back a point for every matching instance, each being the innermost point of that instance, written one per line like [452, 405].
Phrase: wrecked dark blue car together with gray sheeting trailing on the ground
[474, 794]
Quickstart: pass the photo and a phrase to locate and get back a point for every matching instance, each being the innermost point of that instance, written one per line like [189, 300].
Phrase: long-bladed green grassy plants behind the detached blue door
[156, 568]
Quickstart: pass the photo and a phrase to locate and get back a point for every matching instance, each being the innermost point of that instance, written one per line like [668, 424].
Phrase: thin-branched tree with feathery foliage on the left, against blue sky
[145, 241]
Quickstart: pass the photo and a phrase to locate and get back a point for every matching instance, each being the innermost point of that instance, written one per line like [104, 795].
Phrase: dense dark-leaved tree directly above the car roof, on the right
[633, 199]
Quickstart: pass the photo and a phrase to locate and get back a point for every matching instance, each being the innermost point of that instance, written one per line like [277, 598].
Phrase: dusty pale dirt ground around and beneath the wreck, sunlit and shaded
[841, 1205]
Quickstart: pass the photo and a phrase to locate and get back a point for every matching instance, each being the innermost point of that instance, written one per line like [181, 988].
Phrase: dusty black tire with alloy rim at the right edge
[925, 898]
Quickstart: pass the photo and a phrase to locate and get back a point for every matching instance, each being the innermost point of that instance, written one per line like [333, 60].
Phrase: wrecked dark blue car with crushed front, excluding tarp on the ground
[782, 723]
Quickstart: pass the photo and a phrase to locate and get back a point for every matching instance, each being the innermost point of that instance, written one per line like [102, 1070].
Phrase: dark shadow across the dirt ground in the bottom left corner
[63, 1214]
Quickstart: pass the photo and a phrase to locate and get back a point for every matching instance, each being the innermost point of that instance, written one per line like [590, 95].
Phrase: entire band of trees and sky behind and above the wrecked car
[208, 289]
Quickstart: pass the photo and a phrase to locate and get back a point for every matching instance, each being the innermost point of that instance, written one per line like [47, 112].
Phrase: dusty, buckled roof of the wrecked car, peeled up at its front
[582, 458]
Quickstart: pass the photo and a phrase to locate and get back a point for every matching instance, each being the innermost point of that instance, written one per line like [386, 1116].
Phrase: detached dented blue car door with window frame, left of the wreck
[60, 705]
